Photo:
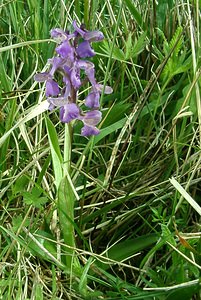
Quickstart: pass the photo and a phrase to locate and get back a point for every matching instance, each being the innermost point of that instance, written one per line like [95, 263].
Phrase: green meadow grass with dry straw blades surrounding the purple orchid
[137, 233]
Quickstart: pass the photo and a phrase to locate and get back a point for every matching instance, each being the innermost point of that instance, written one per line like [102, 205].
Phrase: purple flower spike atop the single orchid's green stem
[69, 63]
